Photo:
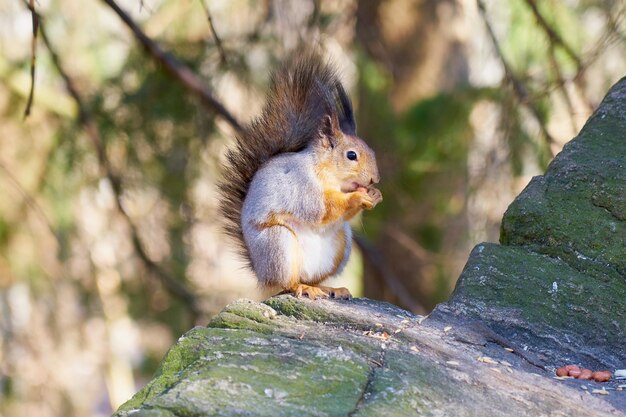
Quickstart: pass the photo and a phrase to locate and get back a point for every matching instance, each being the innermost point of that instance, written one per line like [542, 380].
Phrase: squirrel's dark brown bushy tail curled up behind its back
[302, 92]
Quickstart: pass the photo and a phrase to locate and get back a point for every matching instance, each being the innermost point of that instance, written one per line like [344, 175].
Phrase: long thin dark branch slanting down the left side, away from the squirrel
[173, 286]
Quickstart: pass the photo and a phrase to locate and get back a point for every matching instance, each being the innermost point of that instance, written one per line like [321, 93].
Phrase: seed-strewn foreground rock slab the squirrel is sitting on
[383, 361]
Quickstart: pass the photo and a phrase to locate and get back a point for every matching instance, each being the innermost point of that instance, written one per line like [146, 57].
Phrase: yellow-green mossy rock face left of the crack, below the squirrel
[234, 372]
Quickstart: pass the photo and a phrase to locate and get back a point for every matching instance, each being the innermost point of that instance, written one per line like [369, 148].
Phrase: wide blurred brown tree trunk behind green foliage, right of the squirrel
[420, 43]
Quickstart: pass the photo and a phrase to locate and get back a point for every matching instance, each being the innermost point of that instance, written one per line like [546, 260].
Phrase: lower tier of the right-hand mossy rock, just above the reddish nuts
[543, 304]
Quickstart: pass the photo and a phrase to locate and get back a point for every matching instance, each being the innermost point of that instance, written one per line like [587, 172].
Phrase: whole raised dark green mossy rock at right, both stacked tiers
[557, 285]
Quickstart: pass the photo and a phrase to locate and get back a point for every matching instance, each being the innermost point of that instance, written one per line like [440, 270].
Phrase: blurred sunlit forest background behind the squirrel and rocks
[110, 245]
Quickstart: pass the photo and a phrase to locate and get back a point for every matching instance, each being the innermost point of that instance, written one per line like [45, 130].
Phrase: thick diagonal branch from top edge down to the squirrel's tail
[176, 68]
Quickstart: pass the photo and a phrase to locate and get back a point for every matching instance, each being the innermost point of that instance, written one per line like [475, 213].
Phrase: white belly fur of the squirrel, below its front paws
[318, 250]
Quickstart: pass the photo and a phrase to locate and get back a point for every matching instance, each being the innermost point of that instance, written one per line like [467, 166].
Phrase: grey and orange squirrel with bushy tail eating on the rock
[295, 177]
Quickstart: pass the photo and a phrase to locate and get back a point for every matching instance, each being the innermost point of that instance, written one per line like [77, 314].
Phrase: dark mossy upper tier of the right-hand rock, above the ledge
[577, 210]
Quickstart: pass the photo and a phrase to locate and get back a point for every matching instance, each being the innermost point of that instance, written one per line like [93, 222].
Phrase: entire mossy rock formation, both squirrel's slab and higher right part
[552, 293]
